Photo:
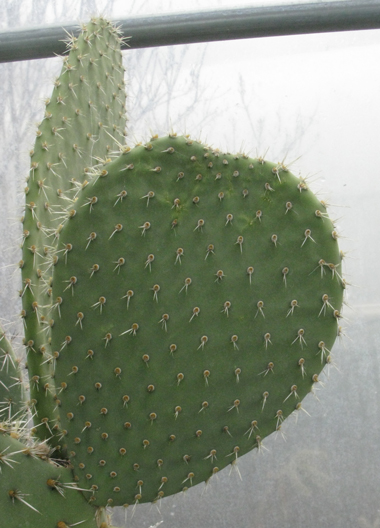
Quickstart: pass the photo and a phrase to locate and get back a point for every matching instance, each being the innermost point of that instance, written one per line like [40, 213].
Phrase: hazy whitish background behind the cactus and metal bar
[313, 101]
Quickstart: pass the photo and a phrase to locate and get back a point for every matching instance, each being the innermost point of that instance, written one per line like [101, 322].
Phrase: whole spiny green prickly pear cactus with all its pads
[179, 302]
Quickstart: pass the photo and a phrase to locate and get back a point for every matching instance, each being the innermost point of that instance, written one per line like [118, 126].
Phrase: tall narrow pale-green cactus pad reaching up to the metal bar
[84, 113]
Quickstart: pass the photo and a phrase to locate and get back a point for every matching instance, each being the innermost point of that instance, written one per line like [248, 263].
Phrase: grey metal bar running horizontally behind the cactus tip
[206, 26]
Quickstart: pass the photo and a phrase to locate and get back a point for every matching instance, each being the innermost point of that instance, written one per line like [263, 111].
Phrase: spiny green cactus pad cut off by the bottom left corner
[35, 493]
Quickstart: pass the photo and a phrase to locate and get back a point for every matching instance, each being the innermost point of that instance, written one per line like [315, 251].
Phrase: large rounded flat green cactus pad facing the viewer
[195, 311]
